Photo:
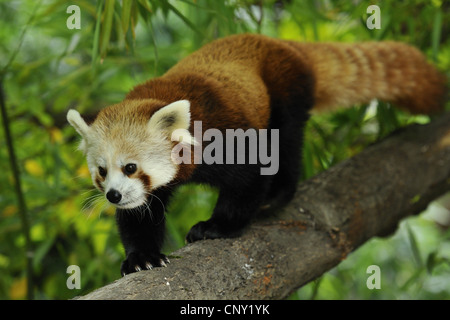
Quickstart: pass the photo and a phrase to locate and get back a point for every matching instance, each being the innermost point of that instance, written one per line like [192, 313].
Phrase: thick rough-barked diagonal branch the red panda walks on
[331, 215]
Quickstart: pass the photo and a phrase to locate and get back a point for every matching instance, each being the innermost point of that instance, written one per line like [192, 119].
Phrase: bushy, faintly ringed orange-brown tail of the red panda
[347, 74]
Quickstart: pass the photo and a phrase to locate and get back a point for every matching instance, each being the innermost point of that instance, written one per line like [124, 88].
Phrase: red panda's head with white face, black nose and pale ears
[129, 147]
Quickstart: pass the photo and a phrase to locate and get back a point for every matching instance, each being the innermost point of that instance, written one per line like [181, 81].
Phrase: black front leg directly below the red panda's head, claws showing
[142, 232]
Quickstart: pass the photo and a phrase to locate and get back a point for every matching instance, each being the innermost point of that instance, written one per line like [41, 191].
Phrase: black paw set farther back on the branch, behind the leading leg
[211, 230]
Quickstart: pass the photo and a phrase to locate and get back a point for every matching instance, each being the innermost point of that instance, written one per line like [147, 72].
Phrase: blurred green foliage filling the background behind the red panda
[47, 68]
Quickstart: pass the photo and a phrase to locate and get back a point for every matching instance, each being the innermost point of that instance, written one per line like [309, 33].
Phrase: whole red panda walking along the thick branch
[238, 82]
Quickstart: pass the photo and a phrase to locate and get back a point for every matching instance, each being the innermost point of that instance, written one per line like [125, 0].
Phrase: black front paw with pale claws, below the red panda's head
[137, 261]
